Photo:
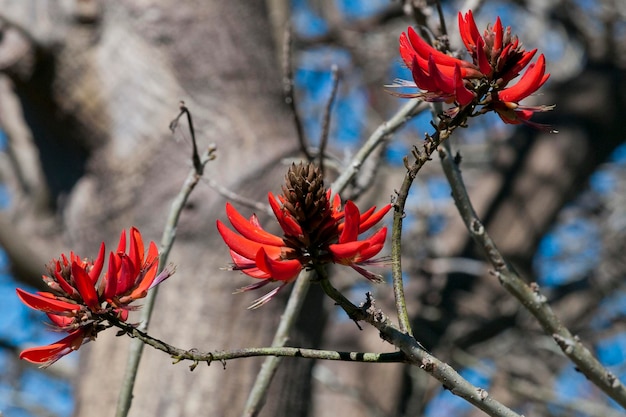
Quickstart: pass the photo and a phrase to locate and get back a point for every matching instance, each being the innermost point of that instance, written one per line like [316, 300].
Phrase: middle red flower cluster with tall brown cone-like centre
[316, 231]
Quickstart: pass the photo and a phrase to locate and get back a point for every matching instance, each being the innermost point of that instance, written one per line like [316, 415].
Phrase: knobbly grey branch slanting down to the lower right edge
[529, 295]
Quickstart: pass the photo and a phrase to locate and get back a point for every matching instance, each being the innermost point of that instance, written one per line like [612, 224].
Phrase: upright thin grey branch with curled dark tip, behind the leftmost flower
[167, 241]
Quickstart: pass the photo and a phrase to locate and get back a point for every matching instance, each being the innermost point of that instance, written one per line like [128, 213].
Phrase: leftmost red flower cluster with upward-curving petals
[78, 302]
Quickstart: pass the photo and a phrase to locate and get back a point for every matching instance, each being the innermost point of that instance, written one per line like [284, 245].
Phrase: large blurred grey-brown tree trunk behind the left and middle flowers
[98, 84]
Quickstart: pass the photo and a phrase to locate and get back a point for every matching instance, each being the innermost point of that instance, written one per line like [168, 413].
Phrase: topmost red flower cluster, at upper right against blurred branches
[497, 58]
